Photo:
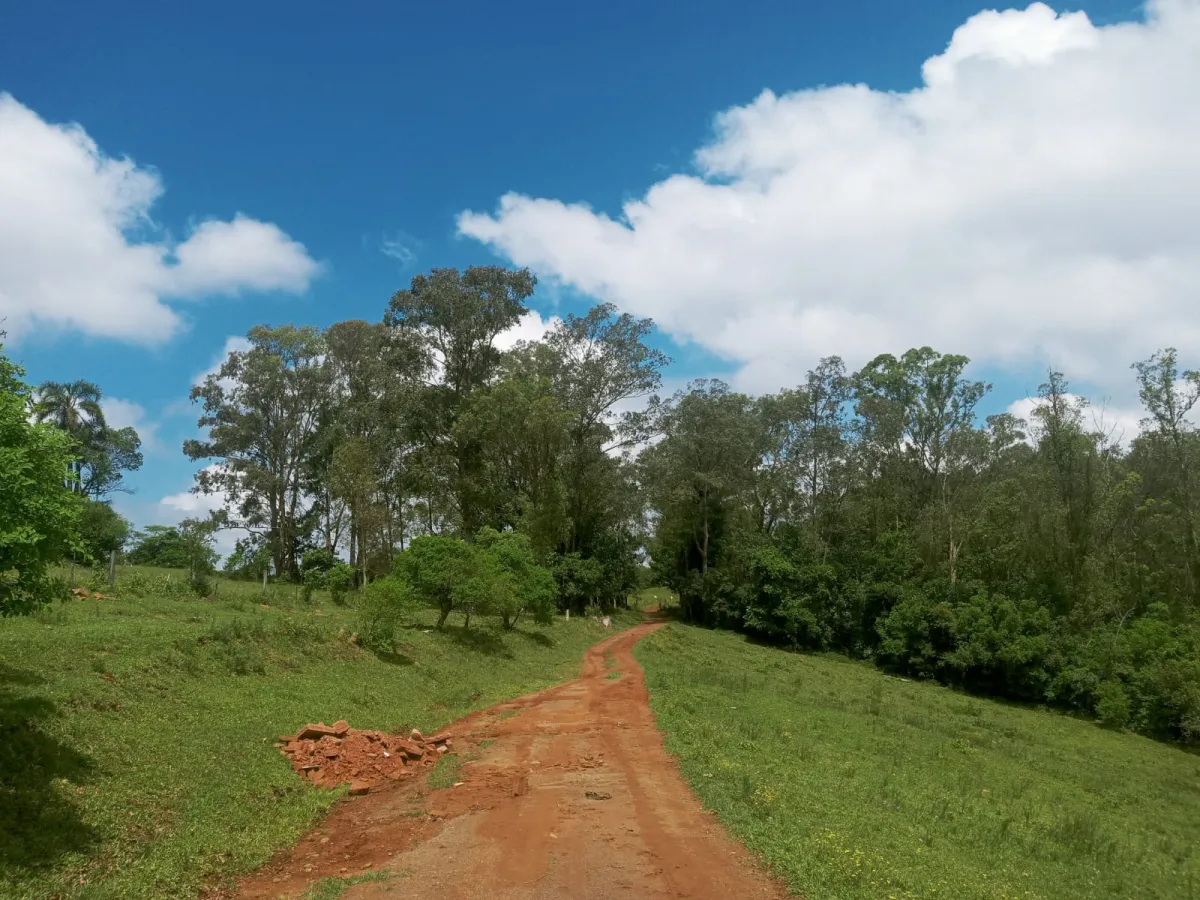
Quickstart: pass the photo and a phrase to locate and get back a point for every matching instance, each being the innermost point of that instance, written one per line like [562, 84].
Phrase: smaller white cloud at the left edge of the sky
[79, 249]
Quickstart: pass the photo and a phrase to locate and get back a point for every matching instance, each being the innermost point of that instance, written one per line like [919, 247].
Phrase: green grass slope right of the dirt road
[856, 785]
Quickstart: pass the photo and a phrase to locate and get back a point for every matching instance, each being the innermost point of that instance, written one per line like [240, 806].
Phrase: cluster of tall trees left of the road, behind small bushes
[364, 437]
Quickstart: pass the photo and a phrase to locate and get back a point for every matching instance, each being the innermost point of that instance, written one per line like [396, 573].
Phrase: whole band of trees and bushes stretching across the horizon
[873, 513]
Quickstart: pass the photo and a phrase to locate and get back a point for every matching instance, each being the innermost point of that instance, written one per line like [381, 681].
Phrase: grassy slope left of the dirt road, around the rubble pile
[136, 736]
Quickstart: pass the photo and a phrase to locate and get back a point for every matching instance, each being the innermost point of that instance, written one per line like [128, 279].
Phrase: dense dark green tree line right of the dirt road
[873, 514]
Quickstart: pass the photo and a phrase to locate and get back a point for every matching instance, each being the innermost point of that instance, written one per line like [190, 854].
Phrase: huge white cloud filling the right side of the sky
[1037, 200]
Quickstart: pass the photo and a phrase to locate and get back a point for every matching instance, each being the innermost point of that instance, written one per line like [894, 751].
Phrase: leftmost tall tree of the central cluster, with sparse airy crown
[262, 411]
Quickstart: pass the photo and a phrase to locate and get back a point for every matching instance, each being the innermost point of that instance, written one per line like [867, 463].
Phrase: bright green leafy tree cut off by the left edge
[39, 514]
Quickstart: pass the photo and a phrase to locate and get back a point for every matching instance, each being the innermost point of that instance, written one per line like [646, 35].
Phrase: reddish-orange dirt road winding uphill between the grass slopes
[521, 825]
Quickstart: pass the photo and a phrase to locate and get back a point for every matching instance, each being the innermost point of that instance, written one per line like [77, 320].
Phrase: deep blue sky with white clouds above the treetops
[771, 182]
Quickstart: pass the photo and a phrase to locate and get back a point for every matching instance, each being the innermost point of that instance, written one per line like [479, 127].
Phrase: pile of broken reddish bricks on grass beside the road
[331, 755]
